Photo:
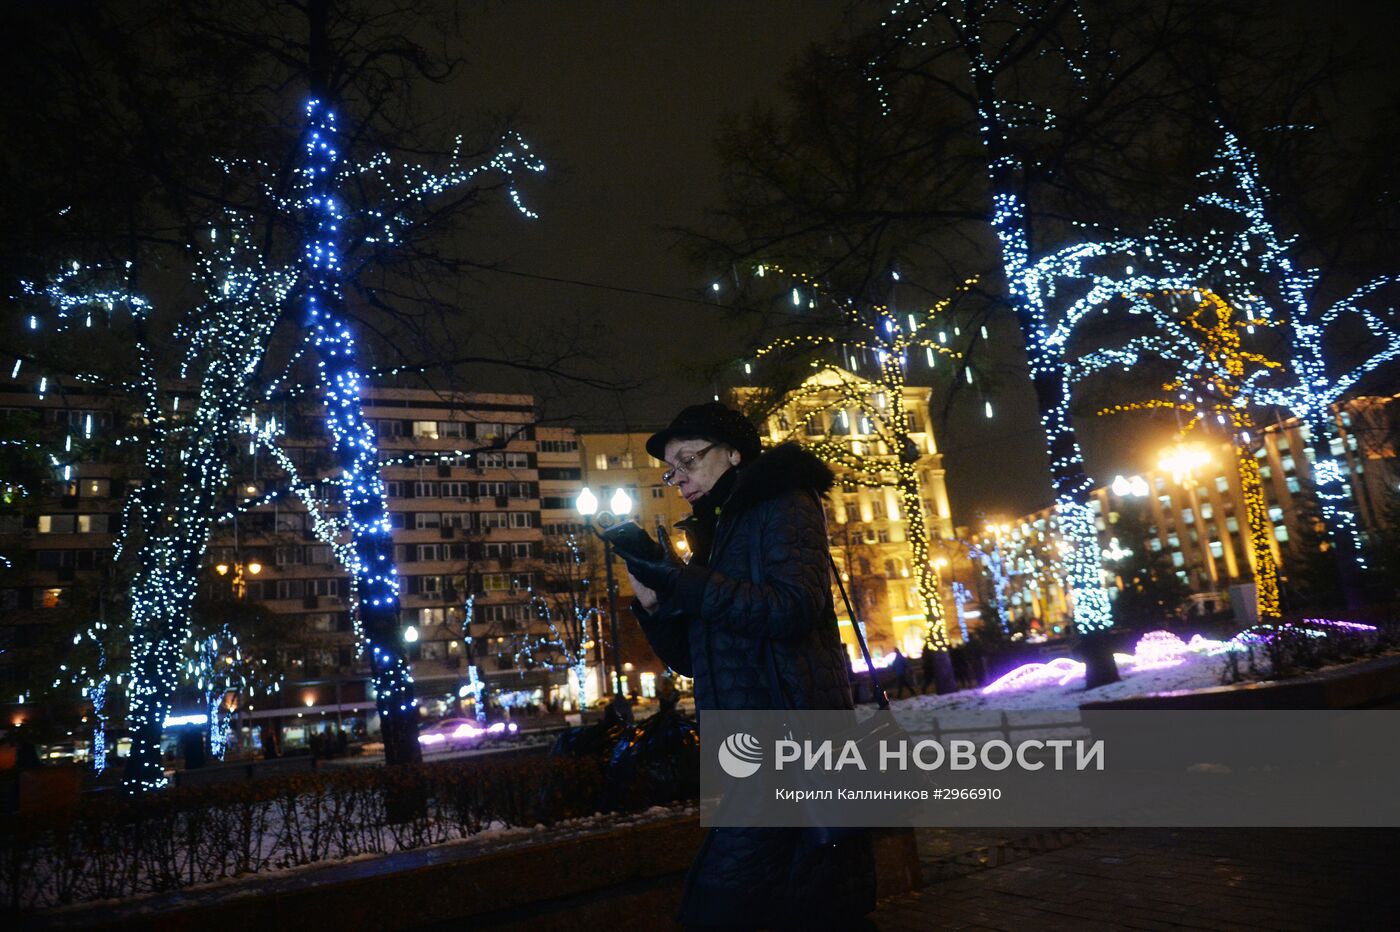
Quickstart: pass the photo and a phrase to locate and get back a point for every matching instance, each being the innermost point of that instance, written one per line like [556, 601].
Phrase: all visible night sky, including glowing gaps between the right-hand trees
[624, 100]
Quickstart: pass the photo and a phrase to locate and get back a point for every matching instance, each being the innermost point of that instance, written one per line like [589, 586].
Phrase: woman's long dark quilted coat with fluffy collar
[733, 632]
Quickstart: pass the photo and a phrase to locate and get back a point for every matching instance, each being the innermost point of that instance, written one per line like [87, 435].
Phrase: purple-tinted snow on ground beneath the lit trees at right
[1193, 672]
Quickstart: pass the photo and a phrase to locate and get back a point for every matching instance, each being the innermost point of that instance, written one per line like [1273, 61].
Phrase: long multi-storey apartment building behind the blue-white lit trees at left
[464, 486]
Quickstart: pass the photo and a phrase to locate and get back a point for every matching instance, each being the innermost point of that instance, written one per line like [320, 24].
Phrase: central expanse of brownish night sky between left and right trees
[624, 101]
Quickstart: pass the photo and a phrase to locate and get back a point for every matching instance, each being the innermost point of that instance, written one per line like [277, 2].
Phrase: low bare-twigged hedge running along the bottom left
[125, 847]
